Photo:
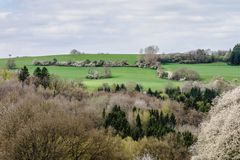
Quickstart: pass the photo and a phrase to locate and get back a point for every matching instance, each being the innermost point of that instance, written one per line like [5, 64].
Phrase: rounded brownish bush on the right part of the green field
[185, 74]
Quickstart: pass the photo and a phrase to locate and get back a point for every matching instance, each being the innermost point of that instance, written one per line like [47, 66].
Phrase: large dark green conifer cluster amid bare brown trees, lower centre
[157, 126]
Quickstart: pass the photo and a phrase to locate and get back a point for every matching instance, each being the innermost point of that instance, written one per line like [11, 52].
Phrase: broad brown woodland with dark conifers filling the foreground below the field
[55, 123]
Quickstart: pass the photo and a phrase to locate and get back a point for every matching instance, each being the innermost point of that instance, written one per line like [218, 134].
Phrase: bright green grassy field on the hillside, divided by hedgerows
[145, 77]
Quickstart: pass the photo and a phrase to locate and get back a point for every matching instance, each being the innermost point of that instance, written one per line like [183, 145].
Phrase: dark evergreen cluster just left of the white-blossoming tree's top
[195, 98]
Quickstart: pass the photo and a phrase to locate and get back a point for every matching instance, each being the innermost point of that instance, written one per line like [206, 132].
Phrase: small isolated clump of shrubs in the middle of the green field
[99, 74]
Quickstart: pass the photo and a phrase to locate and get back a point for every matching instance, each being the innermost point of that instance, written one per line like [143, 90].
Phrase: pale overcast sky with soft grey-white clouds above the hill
[42, 27]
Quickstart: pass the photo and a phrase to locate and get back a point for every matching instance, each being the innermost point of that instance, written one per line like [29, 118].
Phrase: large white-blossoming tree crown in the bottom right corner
[219, 137]
